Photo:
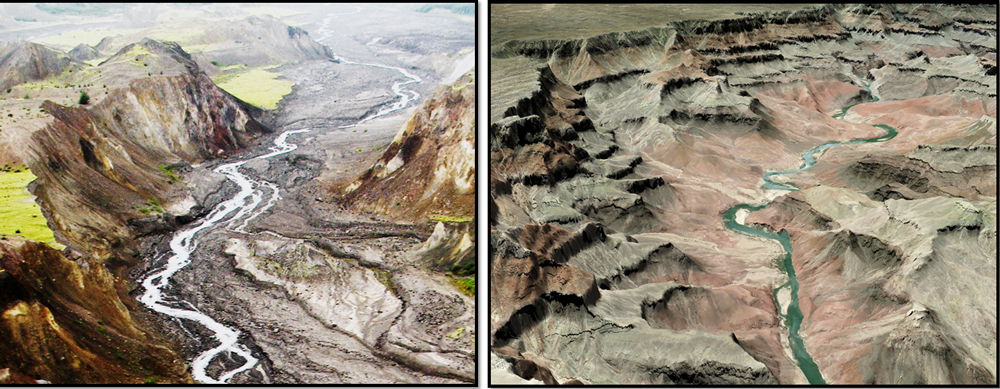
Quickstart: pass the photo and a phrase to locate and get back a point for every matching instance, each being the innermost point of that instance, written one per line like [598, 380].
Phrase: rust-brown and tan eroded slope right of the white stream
[428, 168]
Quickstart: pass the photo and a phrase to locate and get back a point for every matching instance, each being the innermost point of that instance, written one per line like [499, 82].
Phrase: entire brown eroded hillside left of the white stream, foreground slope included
[104, 176]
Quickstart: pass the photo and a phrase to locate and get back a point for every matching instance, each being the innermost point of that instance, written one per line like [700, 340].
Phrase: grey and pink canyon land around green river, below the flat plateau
[633, 240]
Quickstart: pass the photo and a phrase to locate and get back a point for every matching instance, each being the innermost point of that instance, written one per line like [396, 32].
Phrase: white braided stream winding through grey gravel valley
[235, 214]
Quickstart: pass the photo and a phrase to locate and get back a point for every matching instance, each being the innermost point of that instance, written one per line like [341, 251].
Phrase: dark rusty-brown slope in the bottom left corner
[63, 322]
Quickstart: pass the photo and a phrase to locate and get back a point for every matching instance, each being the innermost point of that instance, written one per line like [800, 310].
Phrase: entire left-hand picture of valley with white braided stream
[248, 194]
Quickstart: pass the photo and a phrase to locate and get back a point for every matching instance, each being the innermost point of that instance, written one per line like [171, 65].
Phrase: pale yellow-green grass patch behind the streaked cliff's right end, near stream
[256, 86]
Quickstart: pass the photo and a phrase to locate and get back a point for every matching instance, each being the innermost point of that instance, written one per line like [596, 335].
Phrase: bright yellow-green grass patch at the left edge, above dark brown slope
[19, 214]
